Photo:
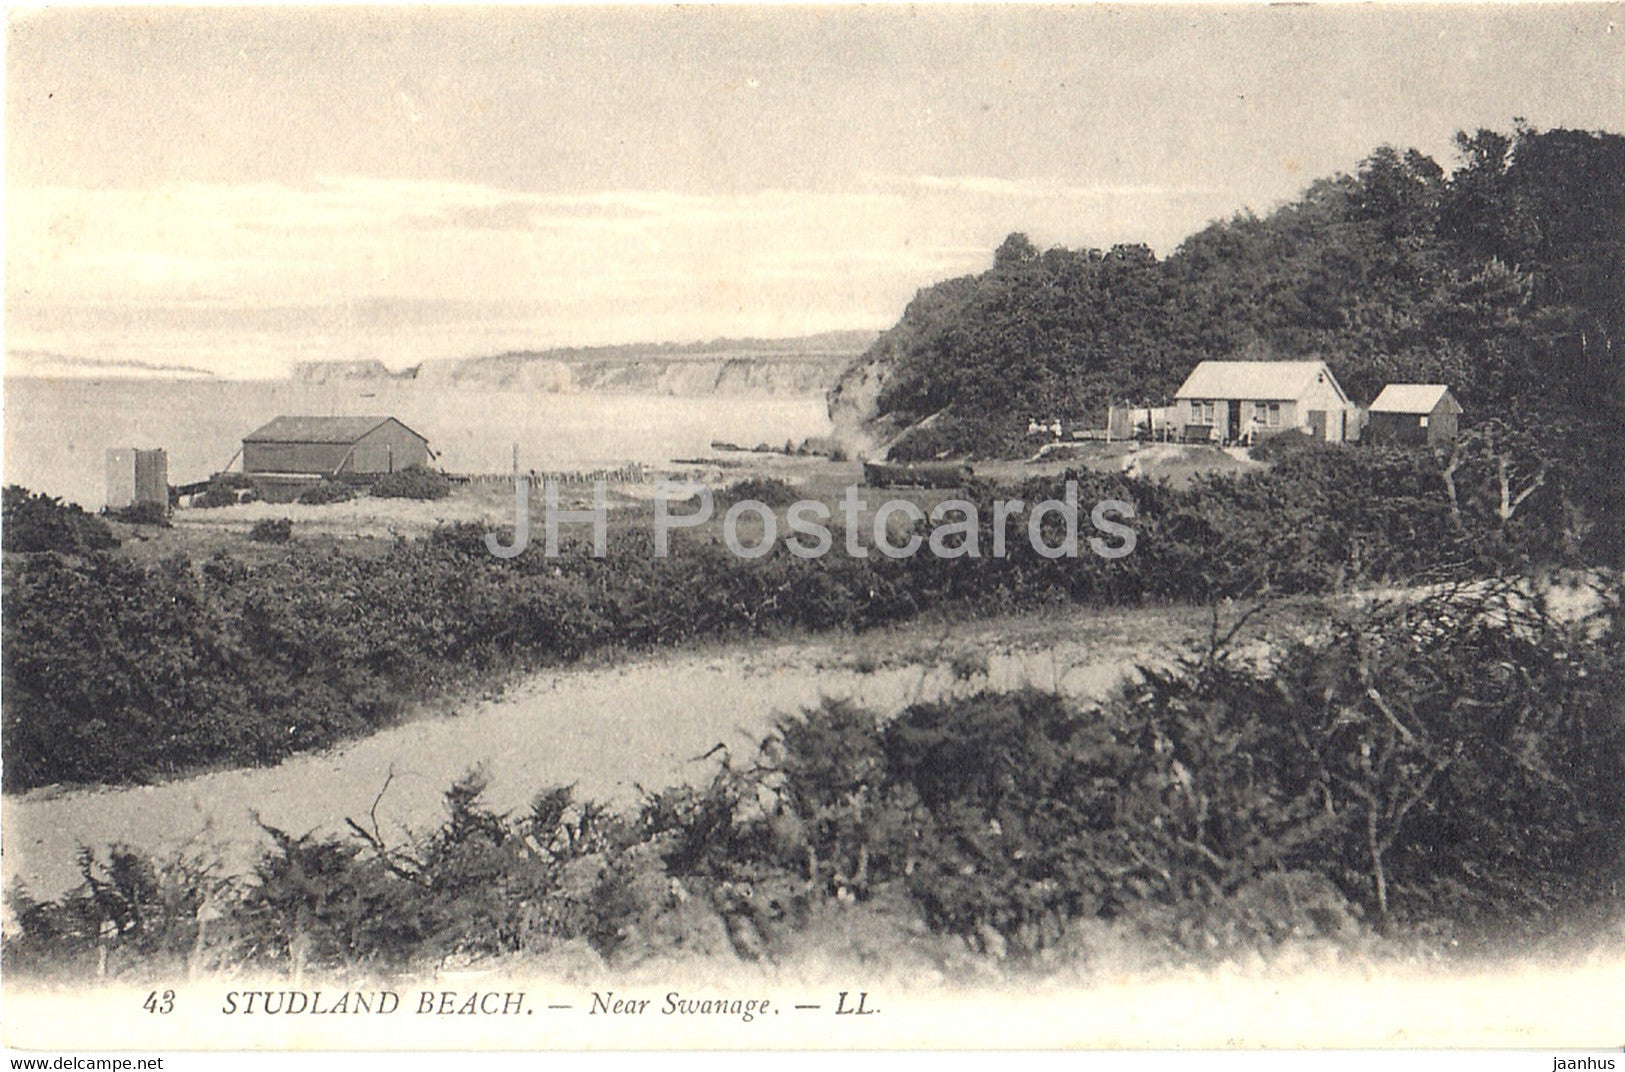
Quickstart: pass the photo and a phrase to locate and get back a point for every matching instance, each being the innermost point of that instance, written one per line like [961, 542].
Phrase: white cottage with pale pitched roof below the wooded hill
[1242, 400]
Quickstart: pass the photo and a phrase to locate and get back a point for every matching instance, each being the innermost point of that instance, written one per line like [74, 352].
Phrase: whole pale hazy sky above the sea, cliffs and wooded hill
[236, 189]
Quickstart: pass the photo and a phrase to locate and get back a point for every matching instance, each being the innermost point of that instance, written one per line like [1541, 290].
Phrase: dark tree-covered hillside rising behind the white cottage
[1504, 280]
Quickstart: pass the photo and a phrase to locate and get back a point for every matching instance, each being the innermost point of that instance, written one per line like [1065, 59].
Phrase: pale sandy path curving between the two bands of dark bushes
[607, 730]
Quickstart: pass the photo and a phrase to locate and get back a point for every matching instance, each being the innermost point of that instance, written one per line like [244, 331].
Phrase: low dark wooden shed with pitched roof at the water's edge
[332, 447]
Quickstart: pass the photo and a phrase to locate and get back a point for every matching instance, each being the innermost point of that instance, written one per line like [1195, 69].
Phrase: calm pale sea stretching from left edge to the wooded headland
[58, 431]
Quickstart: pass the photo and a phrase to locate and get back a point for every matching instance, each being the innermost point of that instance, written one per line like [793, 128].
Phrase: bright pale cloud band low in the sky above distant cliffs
[548, 267]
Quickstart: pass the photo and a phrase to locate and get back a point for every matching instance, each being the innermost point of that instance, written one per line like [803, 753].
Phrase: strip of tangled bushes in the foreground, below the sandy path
[1449, 764]
